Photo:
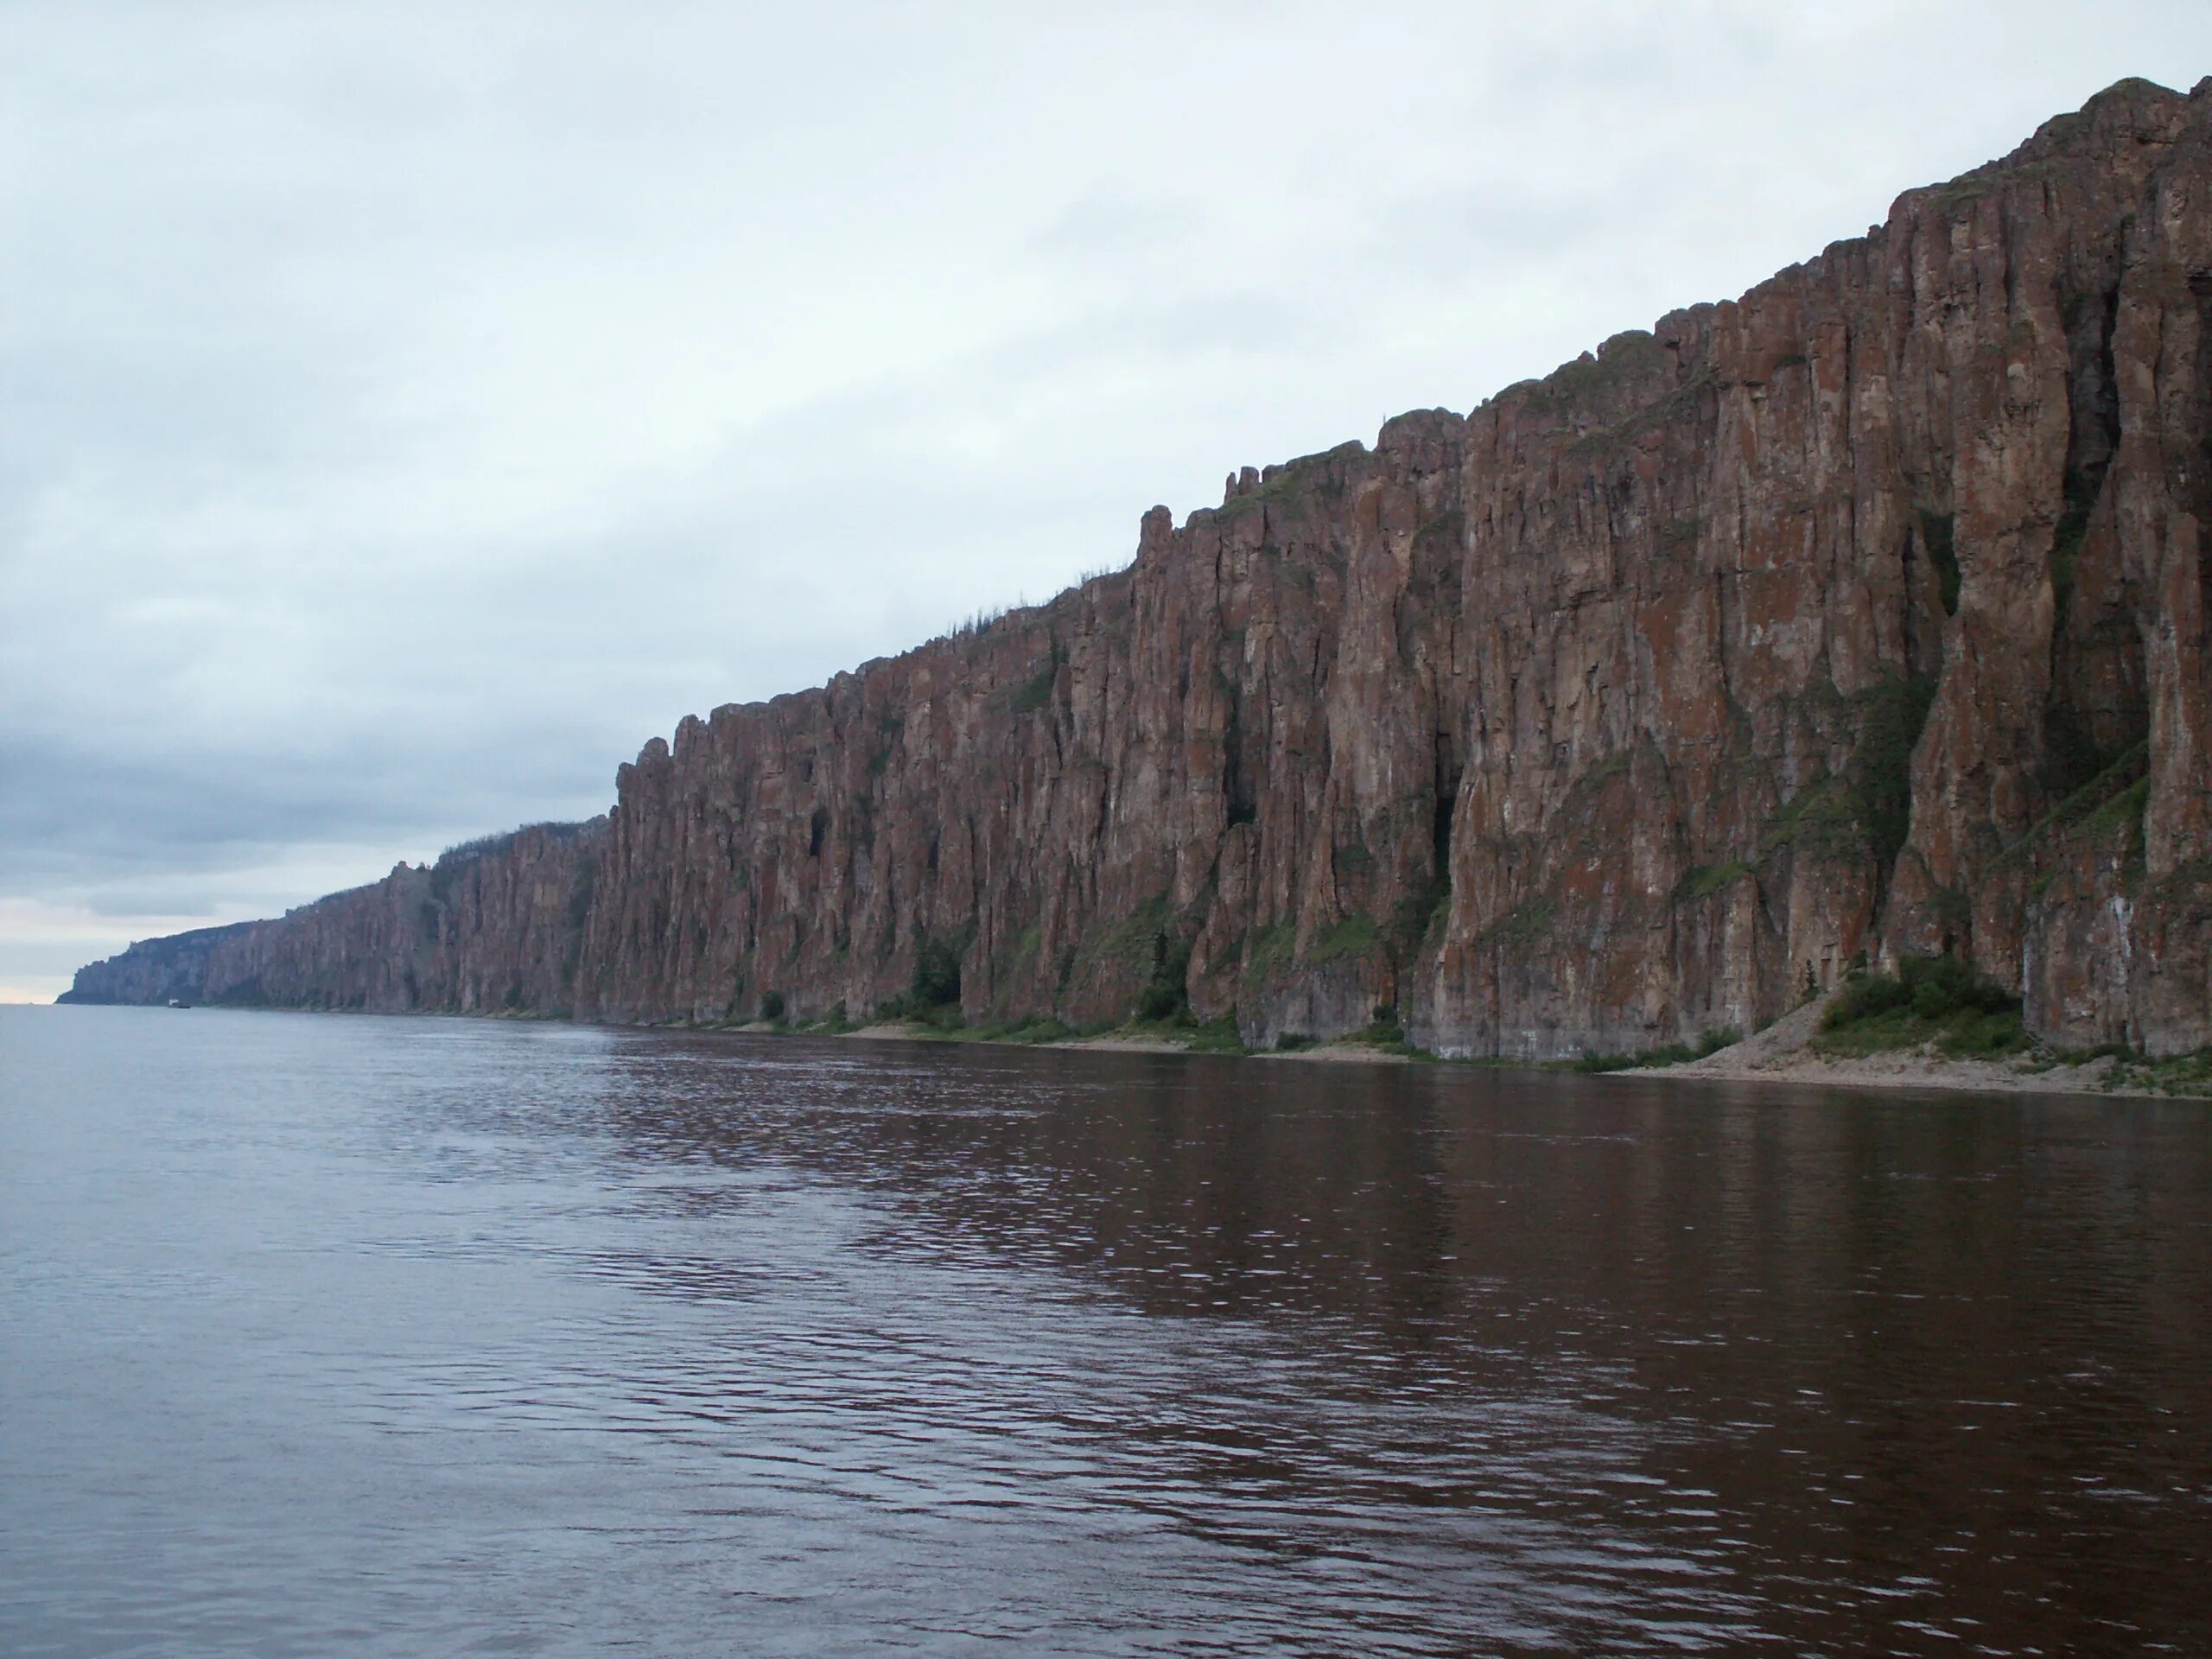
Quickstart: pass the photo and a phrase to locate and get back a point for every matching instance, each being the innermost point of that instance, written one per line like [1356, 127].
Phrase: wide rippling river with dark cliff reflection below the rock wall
[419, 1337]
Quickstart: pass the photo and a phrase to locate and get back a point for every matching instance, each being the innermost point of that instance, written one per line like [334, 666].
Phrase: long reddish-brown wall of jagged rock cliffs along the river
[1861, 616]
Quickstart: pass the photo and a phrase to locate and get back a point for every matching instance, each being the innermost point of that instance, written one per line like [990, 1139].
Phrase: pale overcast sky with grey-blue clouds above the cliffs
[406, 413]
